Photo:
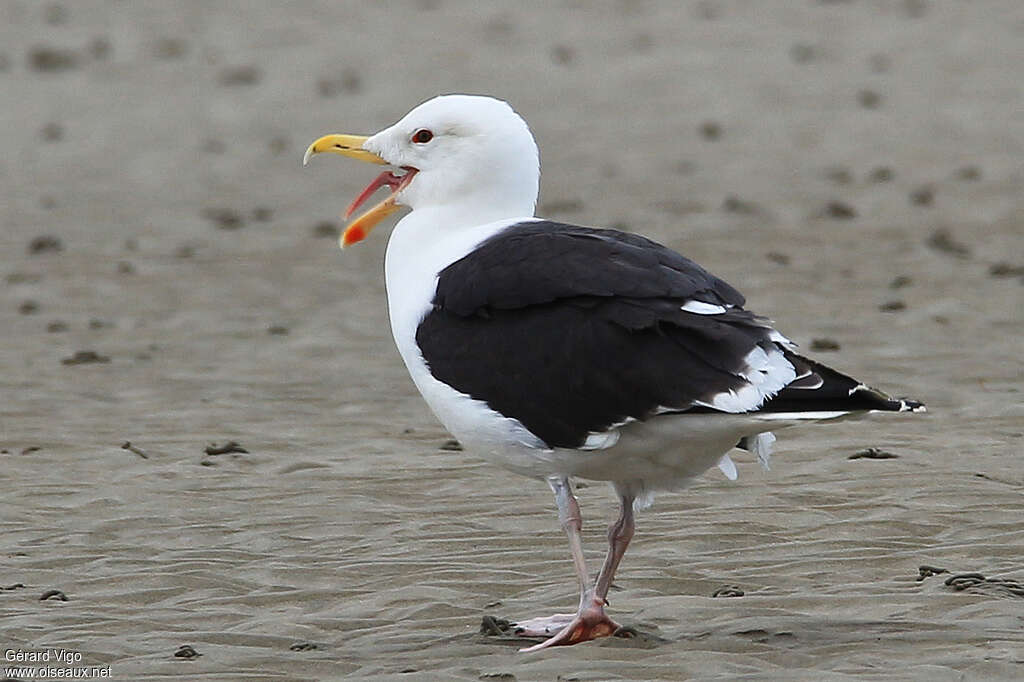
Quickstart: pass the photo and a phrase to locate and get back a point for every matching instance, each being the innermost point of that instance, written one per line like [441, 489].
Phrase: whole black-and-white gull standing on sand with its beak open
[562, 352]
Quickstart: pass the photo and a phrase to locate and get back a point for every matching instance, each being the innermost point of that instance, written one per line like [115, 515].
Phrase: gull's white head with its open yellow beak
[467, 152]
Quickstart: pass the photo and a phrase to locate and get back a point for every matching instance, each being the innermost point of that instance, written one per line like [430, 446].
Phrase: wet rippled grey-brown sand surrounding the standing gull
[856, 168]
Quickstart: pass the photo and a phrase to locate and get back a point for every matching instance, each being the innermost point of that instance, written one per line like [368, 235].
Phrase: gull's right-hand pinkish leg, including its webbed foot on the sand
[591, 621]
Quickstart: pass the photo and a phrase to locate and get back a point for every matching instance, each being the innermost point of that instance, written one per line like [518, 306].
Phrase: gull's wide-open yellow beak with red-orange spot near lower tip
[352, 146]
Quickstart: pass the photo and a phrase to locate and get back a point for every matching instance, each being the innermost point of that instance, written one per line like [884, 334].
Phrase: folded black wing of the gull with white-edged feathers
[574, 330]
